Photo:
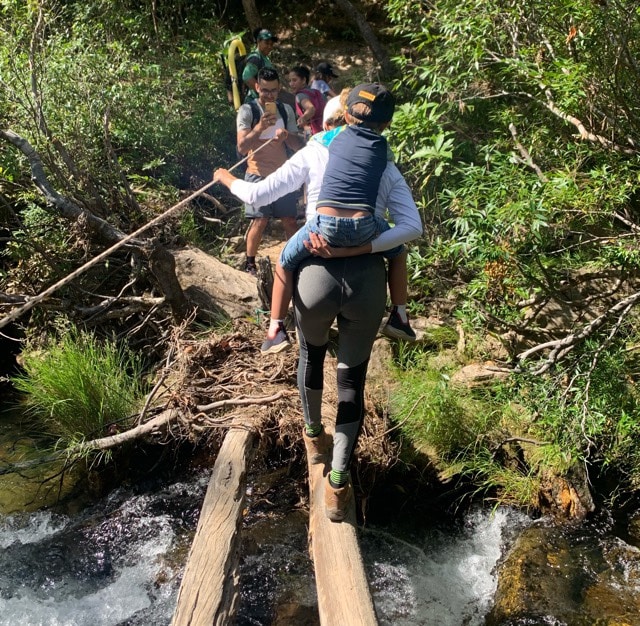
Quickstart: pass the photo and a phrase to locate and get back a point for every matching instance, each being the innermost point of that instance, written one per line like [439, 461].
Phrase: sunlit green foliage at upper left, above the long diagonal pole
[115, 94]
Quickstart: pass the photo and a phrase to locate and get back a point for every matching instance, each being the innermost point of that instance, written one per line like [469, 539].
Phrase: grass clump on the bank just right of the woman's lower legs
[462, 430]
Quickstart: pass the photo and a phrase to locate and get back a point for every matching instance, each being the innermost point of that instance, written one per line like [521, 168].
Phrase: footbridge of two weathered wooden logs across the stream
[209, 591]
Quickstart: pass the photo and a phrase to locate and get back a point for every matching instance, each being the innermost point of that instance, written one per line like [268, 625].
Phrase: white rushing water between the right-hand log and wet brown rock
[444, 578]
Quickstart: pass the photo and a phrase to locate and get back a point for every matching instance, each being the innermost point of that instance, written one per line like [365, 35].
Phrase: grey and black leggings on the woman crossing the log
[353, 291]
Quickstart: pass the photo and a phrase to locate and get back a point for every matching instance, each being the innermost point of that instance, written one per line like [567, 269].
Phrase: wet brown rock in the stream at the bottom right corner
[565, 575]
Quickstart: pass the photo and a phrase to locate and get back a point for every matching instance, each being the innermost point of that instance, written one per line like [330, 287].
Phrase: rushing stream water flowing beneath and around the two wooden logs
[118, 562]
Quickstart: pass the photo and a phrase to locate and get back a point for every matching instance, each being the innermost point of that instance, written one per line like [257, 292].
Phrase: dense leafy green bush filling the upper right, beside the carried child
[522, 137]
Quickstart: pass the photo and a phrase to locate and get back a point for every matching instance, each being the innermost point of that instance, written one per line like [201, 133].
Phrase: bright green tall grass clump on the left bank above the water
[77, 387]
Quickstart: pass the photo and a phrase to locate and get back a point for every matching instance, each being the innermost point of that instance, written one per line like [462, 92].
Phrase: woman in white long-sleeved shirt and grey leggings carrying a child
[336, 286]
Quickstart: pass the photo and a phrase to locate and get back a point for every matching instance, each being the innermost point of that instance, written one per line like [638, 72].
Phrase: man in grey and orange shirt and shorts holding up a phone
[262, 121]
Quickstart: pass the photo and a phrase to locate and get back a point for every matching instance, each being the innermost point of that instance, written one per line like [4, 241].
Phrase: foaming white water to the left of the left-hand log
[109, 566]
